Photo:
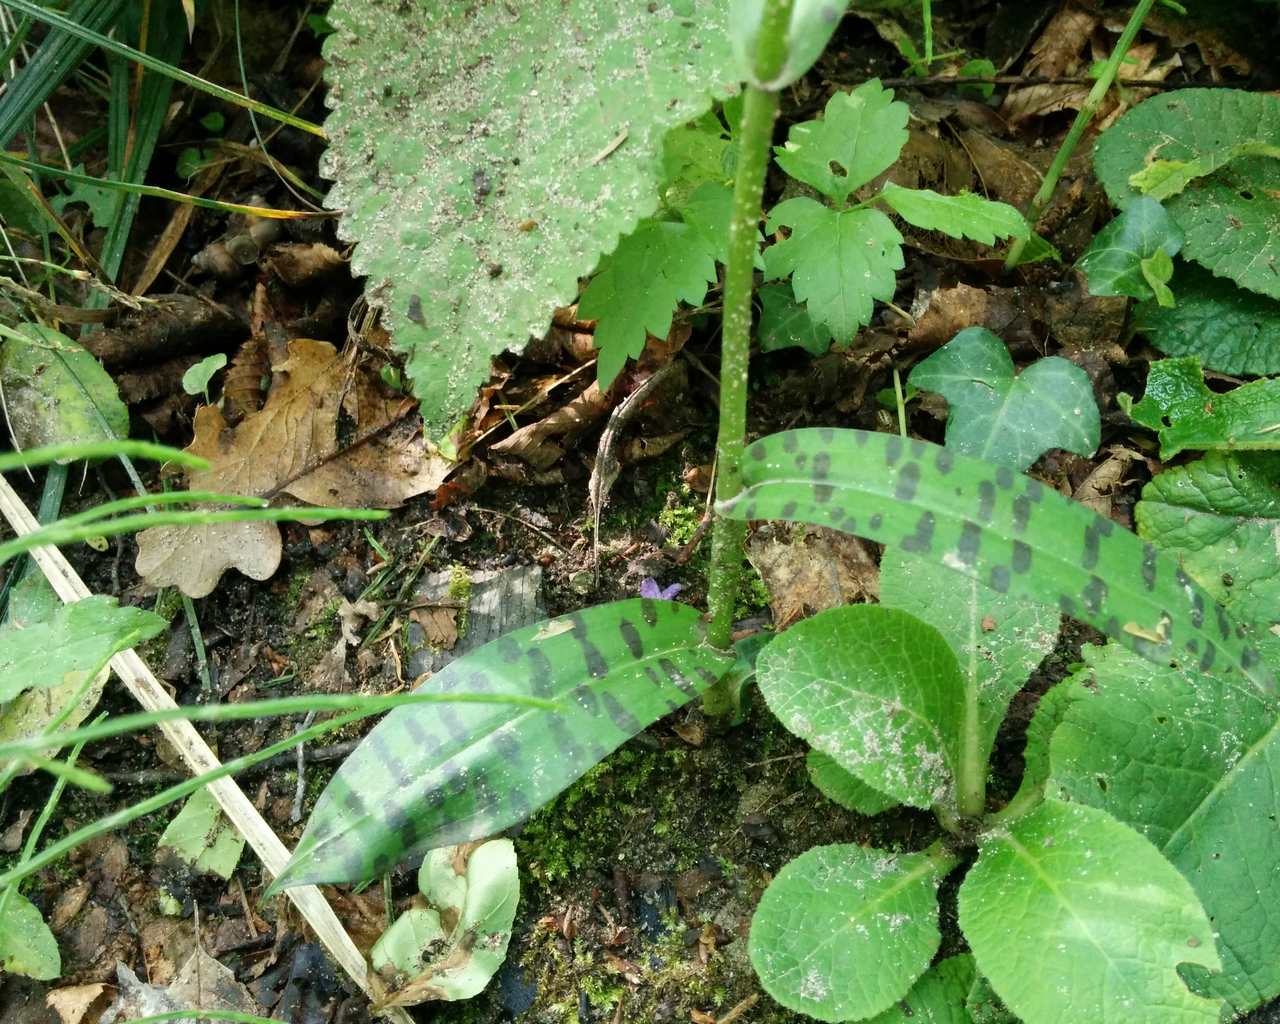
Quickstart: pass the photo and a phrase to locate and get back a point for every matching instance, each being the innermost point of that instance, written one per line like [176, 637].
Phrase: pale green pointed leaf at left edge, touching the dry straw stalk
[74, 644]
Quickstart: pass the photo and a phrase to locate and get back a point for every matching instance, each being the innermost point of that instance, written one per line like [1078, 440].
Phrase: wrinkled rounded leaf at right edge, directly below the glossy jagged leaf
[1220, 518]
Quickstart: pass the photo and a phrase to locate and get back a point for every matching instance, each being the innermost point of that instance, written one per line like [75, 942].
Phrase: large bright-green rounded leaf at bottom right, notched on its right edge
[1069, 912]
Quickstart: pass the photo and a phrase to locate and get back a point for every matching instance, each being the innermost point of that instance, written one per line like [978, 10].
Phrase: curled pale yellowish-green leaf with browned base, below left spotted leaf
[450, 949]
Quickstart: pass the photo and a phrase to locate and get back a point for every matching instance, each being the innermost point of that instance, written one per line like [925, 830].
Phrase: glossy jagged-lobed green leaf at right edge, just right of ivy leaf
[1186, 414]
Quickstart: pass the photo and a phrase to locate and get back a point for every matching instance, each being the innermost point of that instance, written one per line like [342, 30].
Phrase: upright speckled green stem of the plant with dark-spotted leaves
[756, 136]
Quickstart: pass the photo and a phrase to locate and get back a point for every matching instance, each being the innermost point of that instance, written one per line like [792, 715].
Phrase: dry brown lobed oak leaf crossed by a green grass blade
[290, 446]
